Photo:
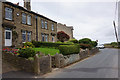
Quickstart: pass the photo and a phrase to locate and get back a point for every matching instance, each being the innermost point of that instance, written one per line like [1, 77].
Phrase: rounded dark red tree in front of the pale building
[62, 36]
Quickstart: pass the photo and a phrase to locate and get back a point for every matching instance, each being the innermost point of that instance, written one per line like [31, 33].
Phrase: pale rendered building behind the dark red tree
[67, 29]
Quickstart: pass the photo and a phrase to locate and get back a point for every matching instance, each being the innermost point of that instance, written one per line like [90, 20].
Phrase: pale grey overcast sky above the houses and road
[90, 18]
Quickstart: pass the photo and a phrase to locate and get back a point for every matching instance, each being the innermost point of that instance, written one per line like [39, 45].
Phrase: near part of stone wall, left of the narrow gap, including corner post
[39, 65]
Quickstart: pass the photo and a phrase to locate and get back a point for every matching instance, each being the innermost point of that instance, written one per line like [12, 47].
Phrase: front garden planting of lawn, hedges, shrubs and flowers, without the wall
[30, 49]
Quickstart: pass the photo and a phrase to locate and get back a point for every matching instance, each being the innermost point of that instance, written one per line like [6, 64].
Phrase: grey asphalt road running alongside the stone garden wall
[102, 65]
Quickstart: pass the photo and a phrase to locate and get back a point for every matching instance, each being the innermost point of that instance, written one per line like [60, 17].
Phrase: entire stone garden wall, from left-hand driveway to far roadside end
[44, 64]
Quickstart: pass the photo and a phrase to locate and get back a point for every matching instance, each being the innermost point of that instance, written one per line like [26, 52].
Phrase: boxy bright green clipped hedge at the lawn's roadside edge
[69, 49]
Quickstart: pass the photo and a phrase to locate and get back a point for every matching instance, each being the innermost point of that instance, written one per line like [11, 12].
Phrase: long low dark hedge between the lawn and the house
[48, 44]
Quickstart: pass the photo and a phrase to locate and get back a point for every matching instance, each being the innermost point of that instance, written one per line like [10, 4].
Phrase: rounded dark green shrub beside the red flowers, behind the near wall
[26, 53]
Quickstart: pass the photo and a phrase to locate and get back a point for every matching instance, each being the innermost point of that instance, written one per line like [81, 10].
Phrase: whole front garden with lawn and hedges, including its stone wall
[41, 57]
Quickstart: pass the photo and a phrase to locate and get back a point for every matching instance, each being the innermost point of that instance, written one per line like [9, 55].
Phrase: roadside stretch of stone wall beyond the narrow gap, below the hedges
[59, 61]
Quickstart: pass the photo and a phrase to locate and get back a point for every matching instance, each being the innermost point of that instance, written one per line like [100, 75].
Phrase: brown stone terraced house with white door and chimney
[20, 24]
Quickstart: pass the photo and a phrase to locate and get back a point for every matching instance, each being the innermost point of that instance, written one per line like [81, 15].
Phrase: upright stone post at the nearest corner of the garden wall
[36, 65]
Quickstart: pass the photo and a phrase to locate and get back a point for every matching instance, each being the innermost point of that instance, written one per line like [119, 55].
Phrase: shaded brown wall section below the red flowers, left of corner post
[19, 62]
